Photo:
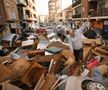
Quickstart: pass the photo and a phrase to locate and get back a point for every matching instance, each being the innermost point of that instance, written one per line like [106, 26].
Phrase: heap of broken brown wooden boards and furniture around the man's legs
[41, 71]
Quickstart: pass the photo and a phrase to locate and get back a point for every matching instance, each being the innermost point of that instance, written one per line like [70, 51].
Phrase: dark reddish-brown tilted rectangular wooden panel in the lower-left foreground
[33, 74]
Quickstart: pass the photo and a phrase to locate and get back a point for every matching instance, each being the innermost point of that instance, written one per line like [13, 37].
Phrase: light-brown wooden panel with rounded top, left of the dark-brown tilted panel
[19, 67]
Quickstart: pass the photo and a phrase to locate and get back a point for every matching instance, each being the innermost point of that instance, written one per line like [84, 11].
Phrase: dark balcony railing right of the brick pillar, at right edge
[99, 12]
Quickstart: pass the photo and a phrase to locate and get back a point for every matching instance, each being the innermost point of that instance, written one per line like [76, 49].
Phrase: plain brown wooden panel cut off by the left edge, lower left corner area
[5, 73]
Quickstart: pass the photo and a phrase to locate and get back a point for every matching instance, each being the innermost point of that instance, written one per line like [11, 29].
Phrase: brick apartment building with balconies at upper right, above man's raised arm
[97, 9]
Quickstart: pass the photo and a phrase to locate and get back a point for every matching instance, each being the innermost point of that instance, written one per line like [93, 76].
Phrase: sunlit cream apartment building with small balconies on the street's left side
[30, 17]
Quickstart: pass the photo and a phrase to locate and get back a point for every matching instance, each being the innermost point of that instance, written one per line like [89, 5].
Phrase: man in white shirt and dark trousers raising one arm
[75, 41]
